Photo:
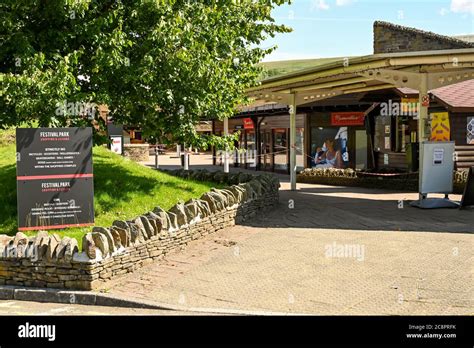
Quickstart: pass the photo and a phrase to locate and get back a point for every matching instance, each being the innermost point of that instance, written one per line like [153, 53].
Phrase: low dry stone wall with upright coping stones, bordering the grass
[48, 261]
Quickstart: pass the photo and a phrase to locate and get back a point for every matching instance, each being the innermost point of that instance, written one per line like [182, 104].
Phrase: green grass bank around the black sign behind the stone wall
[123, 189]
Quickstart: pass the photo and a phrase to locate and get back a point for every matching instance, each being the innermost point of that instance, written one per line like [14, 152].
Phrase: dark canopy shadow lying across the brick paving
[361, 209]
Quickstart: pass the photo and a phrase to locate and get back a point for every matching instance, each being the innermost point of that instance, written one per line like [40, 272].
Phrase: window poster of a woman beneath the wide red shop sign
[329, 148]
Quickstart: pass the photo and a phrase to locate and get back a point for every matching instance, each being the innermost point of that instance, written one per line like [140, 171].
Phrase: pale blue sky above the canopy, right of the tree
[340, 28]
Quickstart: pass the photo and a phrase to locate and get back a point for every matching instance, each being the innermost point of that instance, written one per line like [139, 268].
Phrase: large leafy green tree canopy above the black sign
[161, 65]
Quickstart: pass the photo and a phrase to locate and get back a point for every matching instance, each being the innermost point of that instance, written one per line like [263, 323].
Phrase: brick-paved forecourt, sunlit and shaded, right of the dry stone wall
[324, 250]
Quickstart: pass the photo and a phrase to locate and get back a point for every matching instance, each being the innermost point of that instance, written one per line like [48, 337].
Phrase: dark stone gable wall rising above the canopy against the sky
[392, 38]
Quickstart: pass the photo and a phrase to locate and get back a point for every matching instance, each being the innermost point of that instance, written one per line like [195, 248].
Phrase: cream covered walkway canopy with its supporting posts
[421, 71]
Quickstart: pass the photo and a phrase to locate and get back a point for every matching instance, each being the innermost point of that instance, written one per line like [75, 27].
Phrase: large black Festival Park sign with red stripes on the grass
[55, 183]
